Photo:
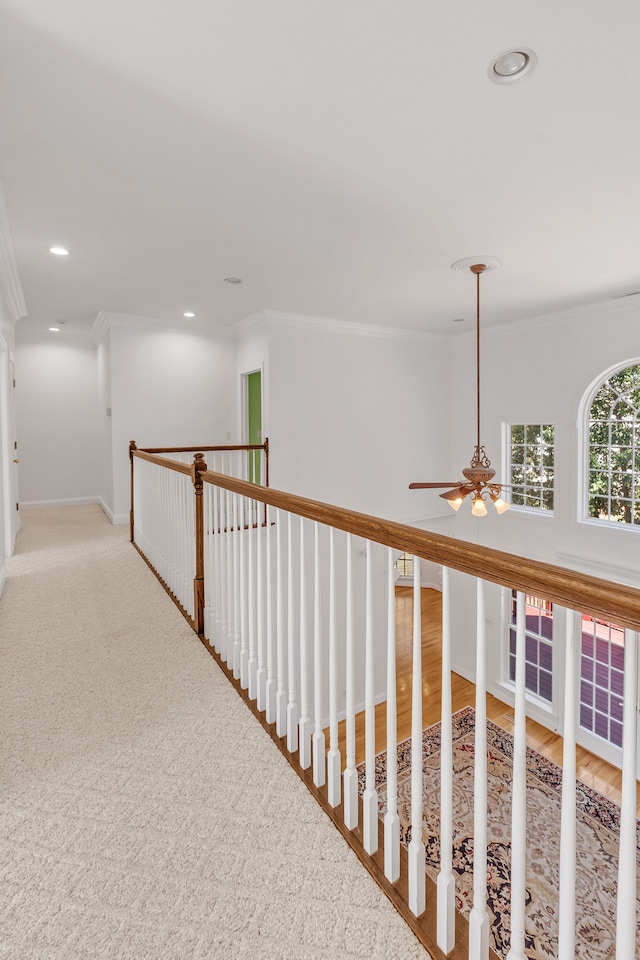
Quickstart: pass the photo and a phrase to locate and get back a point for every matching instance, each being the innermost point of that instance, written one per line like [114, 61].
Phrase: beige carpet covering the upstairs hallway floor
[144, 813]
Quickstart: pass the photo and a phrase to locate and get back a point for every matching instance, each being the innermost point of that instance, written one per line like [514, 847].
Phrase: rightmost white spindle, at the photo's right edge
[626, 906]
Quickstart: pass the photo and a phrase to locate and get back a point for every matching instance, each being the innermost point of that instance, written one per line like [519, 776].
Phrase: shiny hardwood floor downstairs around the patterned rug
[597, 773]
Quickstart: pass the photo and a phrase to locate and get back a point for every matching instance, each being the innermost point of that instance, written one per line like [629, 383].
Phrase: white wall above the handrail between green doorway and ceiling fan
[354, 418]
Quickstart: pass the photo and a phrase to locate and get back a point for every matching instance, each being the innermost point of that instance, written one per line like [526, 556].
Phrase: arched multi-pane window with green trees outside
[613, 493]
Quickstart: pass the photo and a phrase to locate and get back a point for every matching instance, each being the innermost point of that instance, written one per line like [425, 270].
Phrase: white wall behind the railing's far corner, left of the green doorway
[168, 388]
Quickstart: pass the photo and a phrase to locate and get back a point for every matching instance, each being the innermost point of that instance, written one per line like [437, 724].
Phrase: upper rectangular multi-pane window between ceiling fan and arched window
[531, 465]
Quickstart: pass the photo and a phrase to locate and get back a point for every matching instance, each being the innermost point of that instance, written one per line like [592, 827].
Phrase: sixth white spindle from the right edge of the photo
[417, 881]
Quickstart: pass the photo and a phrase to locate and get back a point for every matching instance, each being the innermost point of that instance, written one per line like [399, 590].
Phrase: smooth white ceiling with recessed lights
[337, 155]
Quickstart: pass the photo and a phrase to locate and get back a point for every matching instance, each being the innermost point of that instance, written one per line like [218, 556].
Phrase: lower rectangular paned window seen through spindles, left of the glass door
[538, 646]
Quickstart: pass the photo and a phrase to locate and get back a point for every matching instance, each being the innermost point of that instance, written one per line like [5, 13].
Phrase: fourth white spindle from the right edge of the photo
[479, 917]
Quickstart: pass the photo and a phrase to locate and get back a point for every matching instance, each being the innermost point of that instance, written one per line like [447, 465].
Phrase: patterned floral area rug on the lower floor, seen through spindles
[597, 839]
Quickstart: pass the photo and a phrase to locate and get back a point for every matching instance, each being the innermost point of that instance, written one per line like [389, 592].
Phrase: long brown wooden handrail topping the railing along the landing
[569, 588]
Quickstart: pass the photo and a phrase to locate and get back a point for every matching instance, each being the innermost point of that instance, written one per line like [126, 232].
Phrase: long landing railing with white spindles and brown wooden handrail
[299, 607]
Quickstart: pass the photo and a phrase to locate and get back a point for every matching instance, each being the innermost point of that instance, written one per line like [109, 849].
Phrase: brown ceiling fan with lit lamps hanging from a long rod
[479, 474]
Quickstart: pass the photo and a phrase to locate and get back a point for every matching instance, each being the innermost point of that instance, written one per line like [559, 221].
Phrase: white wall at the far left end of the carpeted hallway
[57, 420]
